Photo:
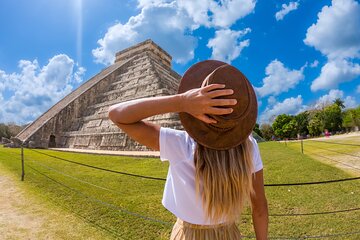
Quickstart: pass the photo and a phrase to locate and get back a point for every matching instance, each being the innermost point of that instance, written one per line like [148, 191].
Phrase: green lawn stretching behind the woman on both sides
[74, 191]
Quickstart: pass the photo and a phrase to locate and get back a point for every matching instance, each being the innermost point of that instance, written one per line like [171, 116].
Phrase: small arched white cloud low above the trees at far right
[333, 94]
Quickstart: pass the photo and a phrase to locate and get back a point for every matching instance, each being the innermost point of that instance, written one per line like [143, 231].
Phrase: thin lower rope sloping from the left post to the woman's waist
[109, 205]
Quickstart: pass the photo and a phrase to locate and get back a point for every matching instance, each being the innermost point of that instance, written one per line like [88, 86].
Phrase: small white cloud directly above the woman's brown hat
[226, 45]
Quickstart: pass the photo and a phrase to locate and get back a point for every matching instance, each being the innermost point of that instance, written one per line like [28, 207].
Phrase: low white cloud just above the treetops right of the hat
[288, 106]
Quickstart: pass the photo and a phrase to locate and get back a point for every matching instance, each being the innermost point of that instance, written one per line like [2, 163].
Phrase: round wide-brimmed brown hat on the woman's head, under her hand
[231, 129]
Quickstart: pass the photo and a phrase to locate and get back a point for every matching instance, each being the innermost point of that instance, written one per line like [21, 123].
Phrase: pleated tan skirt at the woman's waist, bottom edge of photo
[187, 231]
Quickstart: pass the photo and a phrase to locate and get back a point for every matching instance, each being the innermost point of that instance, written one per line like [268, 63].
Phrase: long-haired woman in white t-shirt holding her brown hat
[215, 164]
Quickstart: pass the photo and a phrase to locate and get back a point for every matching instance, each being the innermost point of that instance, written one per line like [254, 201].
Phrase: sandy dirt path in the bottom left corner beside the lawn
[24, 217]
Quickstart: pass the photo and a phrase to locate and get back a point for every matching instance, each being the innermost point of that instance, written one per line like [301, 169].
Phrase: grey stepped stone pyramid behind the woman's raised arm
[80, 119]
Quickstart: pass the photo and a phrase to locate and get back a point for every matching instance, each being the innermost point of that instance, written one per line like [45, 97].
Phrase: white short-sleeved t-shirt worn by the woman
[180, 196]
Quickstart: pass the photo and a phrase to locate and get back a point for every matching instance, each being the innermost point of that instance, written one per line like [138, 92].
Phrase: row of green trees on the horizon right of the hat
[331, 118]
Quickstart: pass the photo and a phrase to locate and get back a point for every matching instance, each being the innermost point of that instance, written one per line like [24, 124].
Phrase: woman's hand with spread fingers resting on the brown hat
[200, 102]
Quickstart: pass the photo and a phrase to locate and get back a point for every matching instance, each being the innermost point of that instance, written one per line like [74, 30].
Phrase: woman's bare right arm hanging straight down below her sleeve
[260, 213]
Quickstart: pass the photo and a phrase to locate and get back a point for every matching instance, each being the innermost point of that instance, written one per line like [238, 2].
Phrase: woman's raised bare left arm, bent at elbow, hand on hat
[198, 102]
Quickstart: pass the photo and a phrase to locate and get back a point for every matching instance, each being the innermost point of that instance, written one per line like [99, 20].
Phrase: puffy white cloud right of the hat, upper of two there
[279, 79]
